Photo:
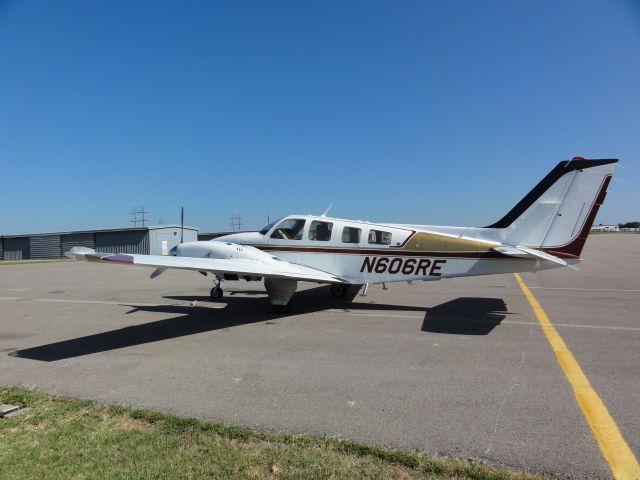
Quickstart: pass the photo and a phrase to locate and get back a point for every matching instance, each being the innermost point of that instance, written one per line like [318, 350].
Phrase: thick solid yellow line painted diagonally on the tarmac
[617, 453]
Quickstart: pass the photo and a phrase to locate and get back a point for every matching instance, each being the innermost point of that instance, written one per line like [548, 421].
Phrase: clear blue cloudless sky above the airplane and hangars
[415, 112]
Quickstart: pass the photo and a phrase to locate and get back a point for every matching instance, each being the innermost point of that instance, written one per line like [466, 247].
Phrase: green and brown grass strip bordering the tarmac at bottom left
[61, 437]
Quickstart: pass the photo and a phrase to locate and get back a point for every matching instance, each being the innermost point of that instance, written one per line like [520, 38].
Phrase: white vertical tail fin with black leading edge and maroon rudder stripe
[557, 215]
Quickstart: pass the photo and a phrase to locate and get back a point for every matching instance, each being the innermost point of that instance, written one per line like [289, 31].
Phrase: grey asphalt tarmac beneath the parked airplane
[457, 367]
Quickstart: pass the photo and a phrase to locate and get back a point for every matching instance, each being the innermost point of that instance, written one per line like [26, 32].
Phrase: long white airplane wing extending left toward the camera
[276, 268]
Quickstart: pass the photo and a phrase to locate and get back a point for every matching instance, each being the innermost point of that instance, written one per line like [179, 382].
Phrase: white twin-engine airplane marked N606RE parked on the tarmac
[546, 229]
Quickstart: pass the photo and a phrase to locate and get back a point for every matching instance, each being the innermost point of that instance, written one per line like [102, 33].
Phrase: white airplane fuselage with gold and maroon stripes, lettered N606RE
[410, 253]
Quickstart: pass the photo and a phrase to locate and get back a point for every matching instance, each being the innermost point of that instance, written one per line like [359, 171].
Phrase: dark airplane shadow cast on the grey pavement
[462, 316]
